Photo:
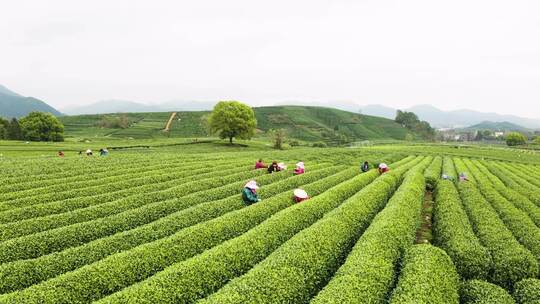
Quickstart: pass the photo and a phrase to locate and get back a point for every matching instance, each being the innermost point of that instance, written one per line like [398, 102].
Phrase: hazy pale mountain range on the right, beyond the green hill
[456, 119]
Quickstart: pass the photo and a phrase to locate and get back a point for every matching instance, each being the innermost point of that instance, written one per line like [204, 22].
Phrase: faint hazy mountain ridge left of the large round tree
[126, 106]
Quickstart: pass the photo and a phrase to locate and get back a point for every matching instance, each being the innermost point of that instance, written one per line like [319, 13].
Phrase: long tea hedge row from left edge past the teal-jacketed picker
[23, 273]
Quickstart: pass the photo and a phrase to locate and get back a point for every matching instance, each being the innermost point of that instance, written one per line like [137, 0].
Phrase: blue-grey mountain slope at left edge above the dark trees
[15, 105]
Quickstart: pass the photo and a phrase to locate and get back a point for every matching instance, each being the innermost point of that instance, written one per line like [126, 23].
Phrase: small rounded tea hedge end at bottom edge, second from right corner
[482, 292]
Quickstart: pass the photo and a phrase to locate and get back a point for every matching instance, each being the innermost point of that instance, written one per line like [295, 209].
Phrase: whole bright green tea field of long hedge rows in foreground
[171, 228]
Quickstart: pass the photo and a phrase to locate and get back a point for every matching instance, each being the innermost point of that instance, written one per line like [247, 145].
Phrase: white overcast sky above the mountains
[482, 55]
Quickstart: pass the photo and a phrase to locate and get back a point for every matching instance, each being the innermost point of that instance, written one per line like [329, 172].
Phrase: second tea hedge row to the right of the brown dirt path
[511, 261]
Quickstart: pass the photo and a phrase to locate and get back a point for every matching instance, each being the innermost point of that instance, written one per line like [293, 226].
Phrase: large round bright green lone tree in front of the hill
[232, 119]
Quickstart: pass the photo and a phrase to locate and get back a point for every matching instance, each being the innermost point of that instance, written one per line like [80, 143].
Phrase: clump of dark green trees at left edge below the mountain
[37, 126]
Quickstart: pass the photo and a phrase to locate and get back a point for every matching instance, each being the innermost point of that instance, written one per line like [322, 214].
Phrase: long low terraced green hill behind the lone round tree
[303, 123]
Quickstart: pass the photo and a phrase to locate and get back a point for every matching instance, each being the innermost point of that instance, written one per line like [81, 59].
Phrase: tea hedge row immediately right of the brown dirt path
[454, 234]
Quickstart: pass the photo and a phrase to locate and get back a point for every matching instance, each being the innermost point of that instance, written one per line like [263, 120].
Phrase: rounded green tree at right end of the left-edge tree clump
[39, 126]
